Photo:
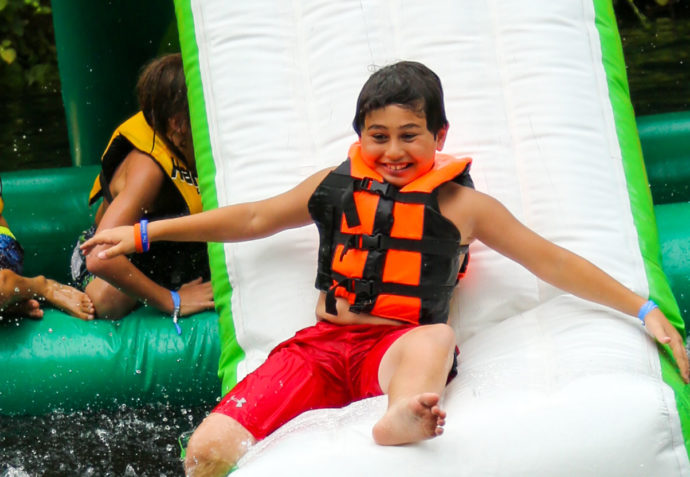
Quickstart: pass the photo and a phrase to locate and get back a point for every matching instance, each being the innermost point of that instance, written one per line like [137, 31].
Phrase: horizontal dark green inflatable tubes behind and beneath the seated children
[61, 362]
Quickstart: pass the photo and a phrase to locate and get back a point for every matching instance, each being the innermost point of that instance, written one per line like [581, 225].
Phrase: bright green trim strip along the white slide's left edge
[231, 352]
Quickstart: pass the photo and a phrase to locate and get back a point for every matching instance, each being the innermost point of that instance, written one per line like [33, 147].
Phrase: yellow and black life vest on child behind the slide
[136, 133]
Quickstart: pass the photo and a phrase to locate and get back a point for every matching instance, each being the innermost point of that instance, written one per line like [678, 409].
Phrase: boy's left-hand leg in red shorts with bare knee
[301, 373]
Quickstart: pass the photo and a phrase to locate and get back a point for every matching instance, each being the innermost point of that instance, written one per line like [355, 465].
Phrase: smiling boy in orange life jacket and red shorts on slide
[395, 220]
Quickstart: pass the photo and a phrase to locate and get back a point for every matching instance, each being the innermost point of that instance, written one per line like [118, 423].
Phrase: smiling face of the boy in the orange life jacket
[397, 144]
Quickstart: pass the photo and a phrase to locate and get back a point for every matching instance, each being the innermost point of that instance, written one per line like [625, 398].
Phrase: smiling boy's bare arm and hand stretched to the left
[233, 223]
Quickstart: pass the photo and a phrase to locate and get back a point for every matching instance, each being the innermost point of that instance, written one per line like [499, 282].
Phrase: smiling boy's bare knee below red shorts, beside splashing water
[216, 446]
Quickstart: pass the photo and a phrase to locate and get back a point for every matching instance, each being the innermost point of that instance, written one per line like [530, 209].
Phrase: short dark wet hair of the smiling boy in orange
[408, 84]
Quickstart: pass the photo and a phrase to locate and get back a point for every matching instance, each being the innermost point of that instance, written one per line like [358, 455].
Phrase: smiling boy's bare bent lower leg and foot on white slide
[413, 372]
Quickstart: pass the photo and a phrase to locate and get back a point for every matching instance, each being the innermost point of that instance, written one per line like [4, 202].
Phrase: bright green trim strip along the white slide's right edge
[640, 198]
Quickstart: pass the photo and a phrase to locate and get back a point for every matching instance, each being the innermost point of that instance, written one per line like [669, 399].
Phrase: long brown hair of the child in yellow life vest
[162, 92]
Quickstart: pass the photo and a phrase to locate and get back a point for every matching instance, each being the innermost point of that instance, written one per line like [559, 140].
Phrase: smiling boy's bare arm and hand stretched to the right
[491, 223]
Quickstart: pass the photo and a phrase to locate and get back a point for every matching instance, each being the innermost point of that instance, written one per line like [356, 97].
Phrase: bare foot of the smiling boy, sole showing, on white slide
[412, 420]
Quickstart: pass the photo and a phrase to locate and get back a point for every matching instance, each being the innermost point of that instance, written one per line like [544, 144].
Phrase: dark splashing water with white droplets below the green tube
[126, 442]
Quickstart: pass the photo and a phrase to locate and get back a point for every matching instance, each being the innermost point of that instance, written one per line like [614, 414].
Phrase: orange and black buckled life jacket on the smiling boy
[389, 251]
